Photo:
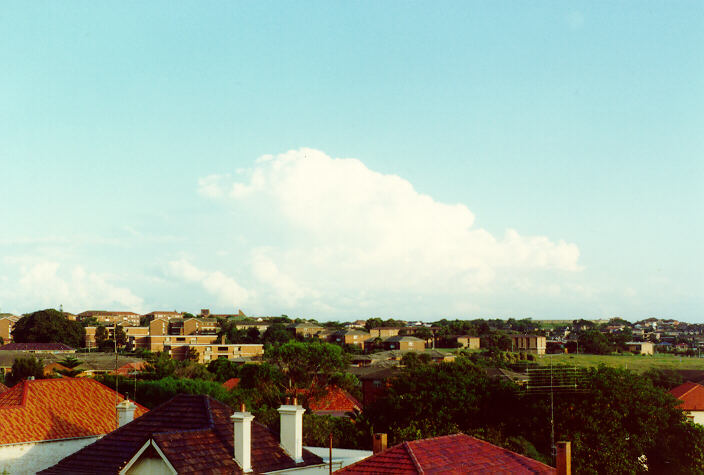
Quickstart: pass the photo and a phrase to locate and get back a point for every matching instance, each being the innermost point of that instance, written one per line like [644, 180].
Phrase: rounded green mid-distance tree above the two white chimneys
[306, 364]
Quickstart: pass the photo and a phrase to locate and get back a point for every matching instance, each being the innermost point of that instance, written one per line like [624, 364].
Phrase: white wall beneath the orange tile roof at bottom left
[36, 456]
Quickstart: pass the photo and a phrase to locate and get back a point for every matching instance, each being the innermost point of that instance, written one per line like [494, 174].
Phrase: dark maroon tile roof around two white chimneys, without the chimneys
[195, 434]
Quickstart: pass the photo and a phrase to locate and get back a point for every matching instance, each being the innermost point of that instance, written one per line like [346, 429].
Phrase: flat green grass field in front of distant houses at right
[634, 362]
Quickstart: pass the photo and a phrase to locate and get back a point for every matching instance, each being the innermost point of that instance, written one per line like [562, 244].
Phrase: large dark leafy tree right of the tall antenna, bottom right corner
[621, 418]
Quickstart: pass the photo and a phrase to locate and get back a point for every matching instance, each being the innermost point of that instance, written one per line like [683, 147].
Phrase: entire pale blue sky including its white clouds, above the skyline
[422, 159]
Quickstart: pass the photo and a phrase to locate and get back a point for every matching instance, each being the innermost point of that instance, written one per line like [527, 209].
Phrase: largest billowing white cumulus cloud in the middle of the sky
[355, 237]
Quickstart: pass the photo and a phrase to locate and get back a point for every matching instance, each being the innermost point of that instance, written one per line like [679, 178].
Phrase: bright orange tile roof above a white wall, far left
[49, 409]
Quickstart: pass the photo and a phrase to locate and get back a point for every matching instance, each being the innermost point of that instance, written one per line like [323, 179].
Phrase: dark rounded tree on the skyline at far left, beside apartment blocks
[49, 326]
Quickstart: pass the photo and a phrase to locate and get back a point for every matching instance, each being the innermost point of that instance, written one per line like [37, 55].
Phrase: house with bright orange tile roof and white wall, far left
[46, 420]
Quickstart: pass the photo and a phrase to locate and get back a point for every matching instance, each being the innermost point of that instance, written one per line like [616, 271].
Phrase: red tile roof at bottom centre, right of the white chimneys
[458, 453]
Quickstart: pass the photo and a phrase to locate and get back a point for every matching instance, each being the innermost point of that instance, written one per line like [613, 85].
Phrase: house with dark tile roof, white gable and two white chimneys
[197, 434]
